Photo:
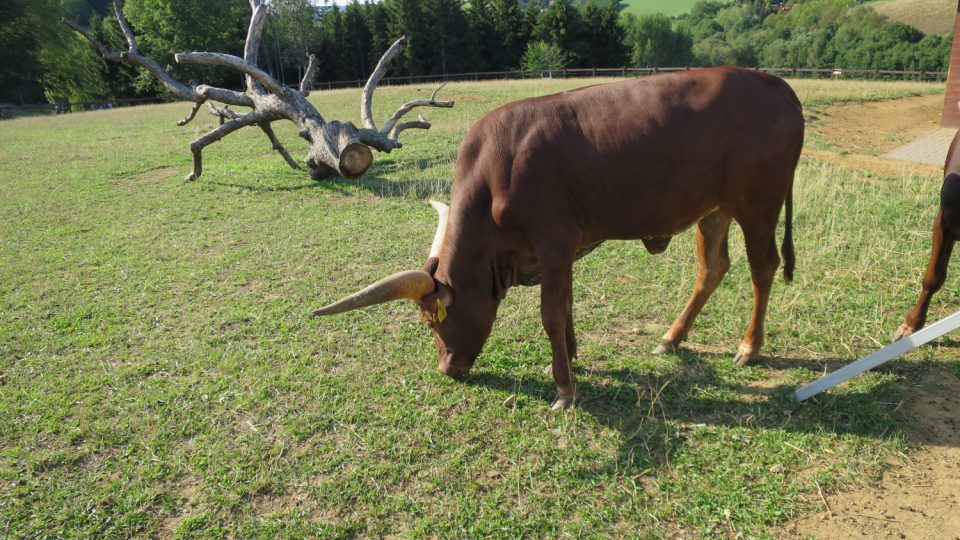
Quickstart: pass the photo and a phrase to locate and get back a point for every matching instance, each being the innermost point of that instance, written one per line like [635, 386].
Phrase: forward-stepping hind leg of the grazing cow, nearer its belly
[713, 263]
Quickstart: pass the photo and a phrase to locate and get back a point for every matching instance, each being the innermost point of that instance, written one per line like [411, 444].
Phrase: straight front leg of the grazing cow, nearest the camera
[556, 299]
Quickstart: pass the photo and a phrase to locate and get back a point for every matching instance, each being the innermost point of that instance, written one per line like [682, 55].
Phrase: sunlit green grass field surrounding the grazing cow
[160, 373]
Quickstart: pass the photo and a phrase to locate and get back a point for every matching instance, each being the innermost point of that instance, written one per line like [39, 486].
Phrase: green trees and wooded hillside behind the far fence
[40, 58]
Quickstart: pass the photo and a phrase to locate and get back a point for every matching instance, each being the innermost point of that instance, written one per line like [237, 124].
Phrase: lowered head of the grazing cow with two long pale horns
[460, 317]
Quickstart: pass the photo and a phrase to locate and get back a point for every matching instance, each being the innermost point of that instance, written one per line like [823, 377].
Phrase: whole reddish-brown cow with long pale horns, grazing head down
[541, 182]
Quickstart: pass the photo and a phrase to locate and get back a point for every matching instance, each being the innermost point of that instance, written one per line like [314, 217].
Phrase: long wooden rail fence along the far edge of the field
[10, 111]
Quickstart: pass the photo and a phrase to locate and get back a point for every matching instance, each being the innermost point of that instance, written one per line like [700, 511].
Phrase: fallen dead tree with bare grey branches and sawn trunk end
[335, 147]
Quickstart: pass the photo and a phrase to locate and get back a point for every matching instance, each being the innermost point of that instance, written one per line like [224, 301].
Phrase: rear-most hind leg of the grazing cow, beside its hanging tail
[764, 261]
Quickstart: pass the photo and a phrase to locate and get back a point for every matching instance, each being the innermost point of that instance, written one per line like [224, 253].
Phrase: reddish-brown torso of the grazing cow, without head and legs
[641, 158]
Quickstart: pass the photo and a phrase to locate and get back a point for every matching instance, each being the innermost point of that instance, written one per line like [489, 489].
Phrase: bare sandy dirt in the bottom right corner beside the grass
[918, 499]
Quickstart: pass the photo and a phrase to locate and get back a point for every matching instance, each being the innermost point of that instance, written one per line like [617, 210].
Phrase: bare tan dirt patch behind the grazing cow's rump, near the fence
[858, 134]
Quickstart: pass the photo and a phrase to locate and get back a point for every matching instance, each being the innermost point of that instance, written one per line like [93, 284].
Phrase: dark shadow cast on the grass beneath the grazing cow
[656, 412]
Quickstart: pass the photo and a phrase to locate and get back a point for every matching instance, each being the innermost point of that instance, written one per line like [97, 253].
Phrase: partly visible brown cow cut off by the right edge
[946, 231]
